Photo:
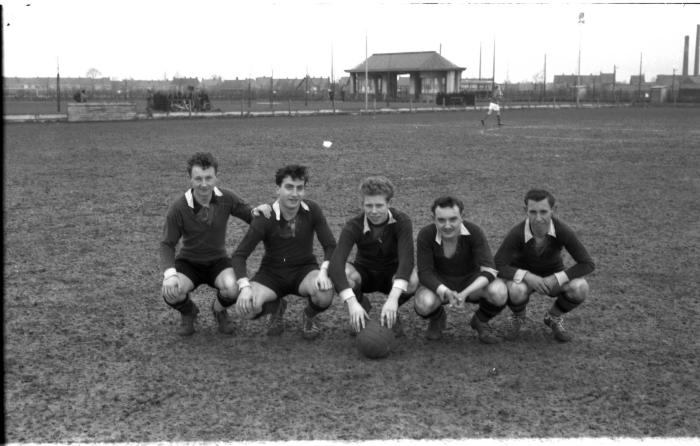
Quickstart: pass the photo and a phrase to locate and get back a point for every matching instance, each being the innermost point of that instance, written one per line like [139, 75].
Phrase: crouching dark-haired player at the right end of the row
[530, 260]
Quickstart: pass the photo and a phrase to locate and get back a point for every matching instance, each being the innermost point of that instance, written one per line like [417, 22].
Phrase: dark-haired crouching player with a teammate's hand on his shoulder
[289, 265]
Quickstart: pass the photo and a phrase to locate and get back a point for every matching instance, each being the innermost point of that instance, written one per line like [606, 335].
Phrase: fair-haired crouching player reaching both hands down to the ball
[383, 260]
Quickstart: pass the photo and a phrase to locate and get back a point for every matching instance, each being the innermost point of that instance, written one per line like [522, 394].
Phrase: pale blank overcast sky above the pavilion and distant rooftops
[154, 39]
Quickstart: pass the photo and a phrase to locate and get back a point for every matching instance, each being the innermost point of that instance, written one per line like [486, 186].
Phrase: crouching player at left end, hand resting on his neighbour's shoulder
[198, 219]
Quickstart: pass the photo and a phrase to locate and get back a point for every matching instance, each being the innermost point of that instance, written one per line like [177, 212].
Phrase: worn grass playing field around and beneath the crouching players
[91, 353]
